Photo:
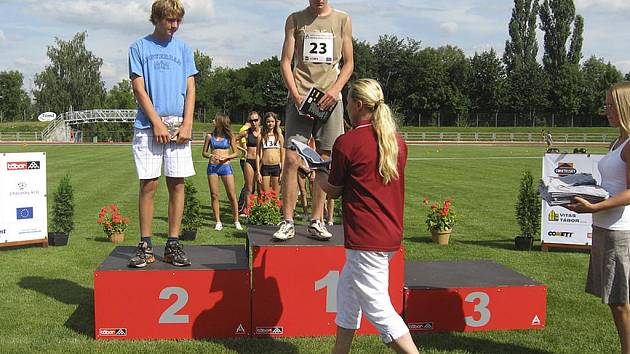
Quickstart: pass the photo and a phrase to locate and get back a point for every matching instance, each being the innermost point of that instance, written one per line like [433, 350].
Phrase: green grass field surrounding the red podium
[47, 301]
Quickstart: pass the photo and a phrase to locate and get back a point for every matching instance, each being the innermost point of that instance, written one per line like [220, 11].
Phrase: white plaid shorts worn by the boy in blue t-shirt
[148, 156]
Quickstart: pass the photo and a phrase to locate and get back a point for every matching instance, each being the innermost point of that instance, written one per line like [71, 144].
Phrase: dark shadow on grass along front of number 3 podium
[454, 342]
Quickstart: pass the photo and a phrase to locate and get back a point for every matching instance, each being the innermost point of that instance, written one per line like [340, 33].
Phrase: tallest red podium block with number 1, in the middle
[294, 288]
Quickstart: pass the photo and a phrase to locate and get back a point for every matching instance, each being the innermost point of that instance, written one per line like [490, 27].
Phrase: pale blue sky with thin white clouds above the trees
[235, 32]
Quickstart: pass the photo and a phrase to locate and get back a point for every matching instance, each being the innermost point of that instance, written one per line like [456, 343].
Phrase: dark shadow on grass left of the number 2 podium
[67, 292]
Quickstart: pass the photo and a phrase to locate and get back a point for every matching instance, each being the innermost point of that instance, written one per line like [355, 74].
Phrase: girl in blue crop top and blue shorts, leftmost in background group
[220, 148]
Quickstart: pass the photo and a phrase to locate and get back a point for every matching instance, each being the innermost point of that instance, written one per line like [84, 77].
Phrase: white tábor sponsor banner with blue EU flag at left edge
[23, 211]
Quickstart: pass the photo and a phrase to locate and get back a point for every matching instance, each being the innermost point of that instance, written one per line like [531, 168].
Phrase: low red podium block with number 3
[471, 296]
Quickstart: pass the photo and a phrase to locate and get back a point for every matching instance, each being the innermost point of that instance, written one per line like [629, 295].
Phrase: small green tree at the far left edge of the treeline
[14, 101]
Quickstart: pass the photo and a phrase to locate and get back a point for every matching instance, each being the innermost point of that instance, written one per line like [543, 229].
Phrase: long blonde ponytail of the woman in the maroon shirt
[370, 93]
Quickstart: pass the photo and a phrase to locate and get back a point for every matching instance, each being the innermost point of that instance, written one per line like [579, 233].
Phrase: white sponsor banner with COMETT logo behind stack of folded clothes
[561, 225]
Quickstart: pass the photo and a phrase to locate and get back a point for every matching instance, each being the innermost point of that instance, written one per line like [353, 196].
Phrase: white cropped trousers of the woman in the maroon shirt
[363, 288]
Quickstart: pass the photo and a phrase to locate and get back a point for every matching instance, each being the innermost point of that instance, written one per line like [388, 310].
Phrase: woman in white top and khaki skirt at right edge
[609, 265]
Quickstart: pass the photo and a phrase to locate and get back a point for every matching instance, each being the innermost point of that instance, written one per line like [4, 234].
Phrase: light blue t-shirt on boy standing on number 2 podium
[165, 67]
